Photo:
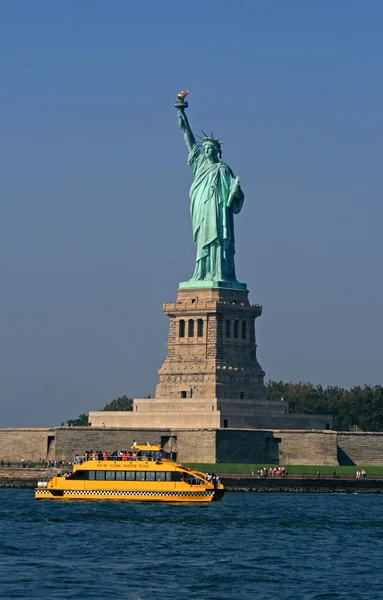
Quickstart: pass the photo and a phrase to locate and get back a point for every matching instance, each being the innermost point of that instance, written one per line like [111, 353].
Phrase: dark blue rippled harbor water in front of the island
[249, 546]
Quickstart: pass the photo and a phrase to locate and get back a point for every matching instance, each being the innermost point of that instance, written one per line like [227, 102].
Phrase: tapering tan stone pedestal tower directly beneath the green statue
[211, 347]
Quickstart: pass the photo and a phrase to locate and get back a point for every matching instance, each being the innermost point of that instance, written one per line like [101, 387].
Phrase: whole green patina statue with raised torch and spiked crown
[215, 196]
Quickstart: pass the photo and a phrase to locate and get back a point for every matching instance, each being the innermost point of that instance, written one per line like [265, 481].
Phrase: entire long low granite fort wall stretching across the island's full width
[201, 445]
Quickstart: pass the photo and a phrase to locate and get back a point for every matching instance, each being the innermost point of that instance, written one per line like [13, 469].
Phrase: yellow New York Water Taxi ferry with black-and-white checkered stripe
[145, 473]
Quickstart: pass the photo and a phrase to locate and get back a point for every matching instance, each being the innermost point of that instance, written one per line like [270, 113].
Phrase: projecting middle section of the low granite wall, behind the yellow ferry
[208, 445]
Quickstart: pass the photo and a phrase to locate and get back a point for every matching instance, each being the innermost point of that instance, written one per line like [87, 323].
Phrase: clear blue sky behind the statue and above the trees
[95, 230]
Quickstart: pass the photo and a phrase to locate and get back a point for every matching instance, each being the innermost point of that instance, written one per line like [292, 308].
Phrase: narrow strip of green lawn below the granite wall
[222, 468]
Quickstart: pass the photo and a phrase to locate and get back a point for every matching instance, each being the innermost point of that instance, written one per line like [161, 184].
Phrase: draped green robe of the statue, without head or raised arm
[212, 205]
